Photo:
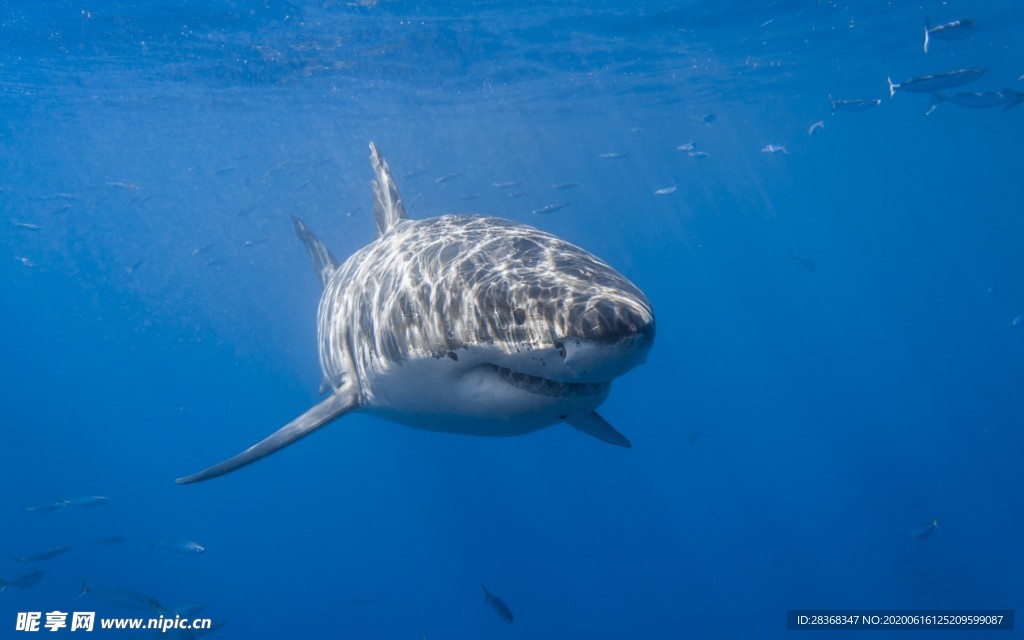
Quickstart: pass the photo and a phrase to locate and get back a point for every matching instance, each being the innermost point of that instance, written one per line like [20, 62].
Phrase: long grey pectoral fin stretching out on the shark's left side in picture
[339, 404]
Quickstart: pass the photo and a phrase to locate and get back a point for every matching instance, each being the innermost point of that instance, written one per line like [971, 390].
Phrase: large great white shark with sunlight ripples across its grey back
[467, 325]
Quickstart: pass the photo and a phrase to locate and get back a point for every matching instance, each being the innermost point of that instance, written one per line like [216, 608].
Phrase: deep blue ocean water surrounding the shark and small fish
[837, 362]
